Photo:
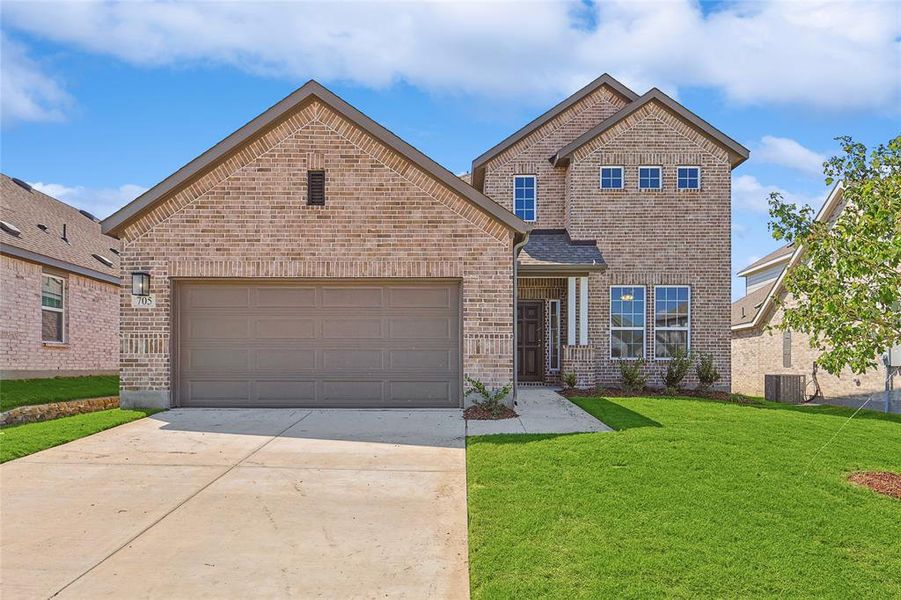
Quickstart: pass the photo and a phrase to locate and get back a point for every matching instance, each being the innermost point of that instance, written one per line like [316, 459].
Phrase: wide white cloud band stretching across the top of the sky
[822, 54]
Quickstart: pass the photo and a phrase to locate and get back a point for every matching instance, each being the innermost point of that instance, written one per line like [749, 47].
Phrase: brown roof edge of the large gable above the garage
[310, 91]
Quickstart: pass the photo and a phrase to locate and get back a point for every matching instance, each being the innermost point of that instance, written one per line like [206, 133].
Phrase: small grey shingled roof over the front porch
[553, 249]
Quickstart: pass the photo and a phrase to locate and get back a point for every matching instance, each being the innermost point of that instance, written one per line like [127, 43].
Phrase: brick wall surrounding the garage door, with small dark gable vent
[384, 218]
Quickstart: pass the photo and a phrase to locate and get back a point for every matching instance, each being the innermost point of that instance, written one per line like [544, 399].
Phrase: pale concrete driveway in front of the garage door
[201, 503]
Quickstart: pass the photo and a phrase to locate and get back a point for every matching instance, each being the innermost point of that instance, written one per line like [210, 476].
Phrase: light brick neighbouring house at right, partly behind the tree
[759, 348]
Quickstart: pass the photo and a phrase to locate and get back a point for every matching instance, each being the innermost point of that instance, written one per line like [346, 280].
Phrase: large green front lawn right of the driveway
[689, 498]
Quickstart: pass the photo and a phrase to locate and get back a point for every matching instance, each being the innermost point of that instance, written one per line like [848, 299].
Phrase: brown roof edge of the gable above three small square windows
[737, 153]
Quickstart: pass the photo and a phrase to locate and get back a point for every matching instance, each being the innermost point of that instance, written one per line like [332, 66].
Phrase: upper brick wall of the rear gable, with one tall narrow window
[530, 156]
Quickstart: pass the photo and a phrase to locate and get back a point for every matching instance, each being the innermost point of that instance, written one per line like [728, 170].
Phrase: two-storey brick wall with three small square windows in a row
[665, 237]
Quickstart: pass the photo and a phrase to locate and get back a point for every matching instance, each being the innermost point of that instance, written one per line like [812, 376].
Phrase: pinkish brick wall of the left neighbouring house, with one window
[92, 322]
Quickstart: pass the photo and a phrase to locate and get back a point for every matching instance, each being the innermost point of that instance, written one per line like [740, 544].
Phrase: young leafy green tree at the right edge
[847, 286]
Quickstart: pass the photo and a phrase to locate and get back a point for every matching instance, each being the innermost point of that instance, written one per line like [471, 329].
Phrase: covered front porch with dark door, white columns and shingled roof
[552, 301]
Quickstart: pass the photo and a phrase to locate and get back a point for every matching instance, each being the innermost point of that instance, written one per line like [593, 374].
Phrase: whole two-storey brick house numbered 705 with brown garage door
[313, 258]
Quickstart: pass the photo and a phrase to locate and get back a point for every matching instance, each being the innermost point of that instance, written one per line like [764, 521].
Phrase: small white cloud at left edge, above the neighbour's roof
[29, 94]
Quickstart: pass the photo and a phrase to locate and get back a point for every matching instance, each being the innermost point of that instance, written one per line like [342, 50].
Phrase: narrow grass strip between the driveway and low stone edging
[17, 441]
